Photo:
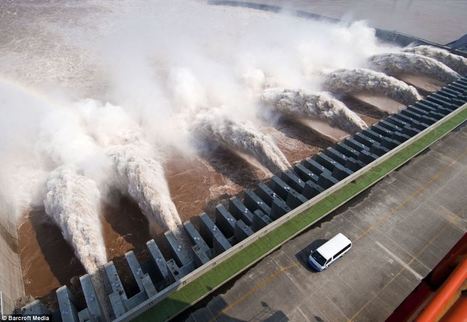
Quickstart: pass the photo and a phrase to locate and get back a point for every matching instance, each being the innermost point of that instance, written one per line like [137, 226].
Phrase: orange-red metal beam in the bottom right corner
[447, 296]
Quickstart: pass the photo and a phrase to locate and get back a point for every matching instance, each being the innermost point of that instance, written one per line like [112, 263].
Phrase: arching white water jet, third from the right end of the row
[356, 80]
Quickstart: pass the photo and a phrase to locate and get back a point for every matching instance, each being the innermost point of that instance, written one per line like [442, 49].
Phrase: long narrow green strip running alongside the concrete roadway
[197, 289]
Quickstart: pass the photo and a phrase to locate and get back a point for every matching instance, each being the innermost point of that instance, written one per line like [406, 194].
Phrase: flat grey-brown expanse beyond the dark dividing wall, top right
[421, 18]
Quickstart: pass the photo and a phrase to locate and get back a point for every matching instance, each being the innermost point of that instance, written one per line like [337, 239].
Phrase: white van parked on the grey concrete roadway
[330, 251]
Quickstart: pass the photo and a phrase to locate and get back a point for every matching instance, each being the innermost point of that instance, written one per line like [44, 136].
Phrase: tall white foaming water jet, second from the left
[136, 162]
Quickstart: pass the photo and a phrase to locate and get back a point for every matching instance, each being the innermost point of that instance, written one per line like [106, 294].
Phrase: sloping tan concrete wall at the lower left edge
[11, 277]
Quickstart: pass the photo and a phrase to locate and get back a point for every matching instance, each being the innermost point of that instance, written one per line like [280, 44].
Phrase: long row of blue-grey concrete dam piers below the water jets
[243, 216]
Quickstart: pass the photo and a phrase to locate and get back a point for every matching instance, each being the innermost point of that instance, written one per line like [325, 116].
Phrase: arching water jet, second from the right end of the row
[402, 63]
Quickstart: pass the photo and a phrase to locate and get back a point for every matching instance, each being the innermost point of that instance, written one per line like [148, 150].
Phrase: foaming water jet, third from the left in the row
[212, 125]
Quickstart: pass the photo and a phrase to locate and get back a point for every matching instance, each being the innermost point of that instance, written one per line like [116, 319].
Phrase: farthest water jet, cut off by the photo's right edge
[456, 62]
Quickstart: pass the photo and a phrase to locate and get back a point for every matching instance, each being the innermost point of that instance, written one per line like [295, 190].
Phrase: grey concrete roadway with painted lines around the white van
[401, 229]
